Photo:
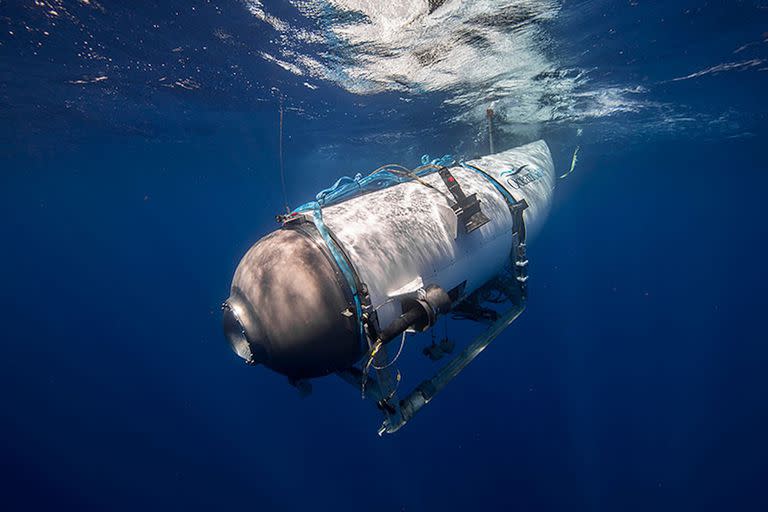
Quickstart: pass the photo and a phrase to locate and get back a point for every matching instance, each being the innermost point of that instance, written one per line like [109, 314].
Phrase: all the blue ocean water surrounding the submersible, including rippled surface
[139, 155]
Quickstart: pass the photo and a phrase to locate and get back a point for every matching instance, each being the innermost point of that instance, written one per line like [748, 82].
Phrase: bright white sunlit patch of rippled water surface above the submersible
[481, 53]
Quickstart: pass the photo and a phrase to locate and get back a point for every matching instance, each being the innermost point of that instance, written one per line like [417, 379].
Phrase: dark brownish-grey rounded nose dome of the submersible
[289, 307]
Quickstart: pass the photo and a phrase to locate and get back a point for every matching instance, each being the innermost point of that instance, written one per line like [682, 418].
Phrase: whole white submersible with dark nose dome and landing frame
[378, 256]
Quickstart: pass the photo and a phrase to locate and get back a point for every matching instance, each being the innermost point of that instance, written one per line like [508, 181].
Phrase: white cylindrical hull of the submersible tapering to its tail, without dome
[405, 237]
